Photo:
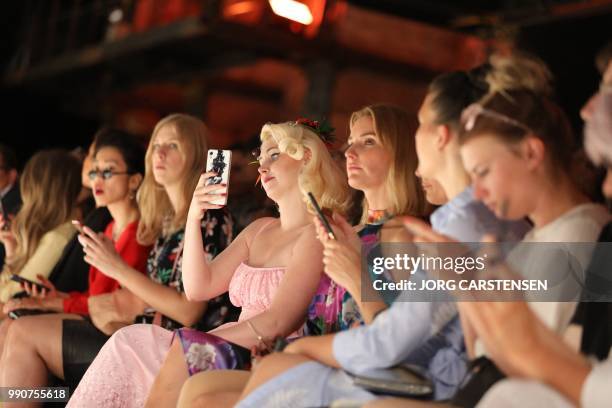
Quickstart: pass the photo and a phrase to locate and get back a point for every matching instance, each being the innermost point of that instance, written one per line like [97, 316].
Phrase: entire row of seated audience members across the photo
[123, 278]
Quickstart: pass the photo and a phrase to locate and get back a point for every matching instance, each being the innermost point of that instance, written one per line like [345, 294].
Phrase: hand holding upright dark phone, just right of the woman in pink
[341, 256]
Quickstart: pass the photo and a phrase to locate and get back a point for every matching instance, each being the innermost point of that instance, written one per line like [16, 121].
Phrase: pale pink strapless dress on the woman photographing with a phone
[124, 370]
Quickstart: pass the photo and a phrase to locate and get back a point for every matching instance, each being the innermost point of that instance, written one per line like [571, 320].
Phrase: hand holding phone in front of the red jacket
[100, 253]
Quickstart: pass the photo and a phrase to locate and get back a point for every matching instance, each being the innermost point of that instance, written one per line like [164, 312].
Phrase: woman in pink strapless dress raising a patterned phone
[272, 270]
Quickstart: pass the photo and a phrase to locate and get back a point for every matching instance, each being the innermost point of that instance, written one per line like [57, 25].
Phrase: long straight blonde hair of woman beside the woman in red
[157, 216]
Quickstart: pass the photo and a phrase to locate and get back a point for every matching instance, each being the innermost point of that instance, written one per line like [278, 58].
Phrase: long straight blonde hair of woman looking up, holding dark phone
[395, 128]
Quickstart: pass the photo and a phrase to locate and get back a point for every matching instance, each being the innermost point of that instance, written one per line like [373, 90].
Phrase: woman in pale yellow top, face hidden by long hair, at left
[42, 227]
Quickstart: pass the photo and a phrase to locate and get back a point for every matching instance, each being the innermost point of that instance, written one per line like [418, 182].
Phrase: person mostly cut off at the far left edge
[10, 199]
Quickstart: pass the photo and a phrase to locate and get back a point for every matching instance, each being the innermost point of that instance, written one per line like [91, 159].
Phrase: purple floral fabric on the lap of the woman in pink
[205, 352]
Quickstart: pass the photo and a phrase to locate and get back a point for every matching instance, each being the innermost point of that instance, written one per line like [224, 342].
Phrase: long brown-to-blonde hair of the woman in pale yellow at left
[49, 194]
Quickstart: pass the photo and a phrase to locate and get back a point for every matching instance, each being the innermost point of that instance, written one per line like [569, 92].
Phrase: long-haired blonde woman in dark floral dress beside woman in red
[173, 161]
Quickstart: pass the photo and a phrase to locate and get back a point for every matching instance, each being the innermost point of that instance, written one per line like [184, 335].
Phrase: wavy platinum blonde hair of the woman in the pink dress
[320, 174]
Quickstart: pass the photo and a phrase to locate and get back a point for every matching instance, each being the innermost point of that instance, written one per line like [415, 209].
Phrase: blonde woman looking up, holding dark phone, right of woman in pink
[380, 162]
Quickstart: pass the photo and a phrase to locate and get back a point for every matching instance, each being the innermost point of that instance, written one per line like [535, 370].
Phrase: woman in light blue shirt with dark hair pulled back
[391, 338]
